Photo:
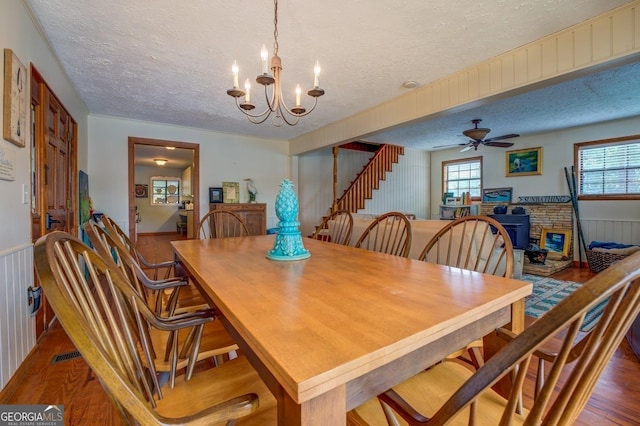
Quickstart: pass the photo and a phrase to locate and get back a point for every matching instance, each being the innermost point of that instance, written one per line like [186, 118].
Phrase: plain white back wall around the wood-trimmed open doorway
[223, 157]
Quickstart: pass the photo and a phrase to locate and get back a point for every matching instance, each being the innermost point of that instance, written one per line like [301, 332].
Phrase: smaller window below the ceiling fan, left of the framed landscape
[460, 176]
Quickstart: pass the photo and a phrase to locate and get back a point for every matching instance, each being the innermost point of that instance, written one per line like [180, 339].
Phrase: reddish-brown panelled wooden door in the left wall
[54, 200]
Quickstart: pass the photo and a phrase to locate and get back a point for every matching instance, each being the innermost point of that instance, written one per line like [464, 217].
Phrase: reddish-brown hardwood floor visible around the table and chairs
[616, 400]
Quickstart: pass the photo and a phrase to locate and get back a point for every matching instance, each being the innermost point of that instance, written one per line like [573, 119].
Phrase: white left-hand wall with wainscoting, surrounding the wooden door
[17, 328]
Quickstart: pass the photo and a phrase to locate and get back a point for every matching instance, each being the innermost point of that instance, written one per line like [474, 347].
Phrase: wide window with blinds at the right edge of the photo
[608, 169]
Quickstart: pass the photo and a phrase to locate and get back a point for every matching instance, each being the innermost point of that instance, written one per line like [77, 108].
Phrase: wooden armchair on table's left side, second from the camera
[184, 346]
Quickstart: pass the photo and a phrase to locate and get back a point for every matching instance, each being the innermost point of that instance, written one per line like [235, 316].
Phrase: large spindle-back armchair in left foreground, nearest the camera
[107, 321]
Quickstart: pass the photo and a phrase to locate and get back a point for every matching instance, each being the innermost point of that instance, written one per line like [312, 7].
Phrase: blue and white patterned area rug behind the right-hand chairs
[547, 292]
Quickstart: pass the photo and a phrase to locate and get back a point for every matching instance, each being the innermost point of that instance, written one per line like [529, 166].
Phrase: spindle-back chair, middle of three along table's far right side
[389, 233]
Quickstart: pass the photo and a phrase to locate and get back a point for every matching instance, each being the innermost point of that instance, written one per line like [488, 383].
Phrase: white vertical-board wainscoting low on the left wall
[17, 327]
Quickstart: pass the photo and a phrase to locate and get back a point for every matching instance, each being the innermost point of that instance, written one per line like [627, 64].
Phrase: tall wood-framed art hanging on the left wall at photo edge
[15, 99]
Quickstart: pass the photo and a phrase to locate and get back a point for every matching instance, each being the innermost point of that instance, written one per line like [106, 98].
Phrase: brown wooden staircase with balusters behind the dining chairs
[361, 189]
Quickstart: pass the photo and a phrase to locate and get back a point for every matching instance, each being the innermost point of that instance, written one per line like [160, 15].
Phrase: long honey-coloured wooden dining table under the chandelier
[329, 332]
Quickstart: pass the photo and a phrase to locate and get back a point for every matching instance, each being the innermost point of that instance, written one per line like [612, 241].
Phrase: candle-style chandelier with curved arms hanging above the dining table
[274, 99]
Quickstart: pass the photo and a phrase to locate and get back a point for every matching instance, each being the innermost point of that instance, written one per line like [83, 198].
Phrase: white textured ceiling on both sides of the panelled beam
[167, 61]
